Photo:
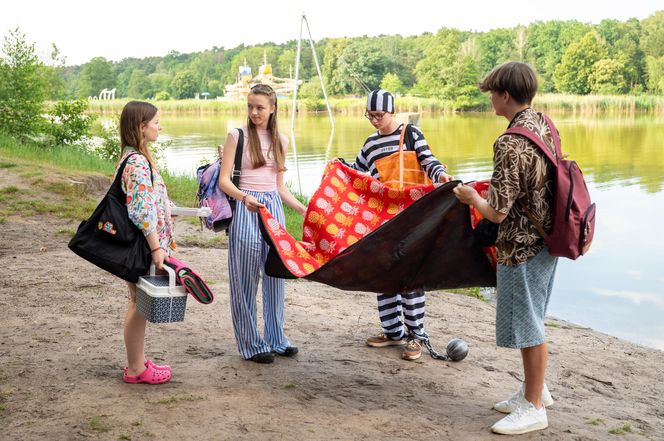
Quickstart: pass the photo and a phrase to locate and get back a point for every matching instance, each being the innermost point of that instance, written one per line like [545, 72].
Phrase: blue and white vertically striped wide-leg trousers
[247, 252]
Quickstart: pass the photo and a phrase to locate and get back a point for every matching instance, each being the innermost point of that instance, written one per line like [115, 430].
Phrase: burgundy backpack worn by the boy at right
[573, 222]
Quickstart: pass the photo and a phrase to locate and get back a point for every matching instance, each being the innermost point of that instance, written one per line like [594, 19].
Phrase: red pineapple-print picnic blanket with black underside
[361, 235]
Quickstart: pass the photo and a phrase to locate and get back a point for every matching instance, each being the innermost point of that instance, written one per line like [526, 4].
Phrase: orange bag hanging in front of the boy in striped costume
[402, 168]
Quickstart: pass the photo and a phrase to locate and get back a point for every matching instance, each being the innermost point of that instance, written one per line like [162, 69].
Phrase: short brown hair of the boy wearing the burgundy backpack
[516, 78]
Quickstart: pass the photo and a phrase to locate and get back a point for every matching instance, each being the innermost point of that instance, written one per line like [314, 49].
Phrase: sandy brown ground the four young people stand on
[62, 354]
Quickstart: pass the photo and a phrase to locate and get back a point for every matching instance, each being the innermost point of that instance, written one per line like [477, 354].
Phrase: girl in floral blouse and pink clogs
[150, 210]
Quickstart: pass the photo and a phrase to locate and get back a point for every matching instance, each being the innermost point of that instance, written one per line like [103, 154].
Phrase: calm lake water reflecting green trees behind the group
[618, 288]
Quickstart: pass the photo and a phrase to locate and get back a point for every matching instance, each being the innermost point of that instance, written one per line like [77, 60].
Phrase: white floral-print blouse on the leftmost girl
[147, 203]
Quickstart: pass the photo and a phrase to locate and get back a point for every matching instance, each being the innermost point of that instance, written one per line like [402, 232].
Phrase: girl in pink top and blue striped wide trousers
[261, 185]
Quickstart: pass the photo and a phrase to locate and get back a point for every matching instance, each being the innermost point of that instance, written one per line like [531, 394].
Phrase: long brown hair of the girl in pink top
[276, 149]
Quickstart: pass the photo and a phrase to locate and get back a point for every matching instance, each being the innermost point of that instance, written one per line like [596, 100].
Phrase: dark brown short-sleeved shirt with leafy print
[522, 177]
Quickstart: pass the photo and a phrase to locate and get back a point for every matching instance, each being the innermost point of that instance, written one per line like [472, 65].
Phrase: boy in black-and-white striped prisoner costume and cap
[380, 110]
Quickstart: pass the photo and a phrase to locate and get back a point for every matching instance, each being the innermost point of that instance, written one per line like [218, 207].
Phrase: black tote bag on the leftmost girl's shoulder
[110, 240]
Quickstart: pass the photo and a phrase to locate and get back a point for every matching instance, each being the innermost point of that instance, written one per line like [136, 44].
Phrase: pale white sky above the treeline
[84, 29]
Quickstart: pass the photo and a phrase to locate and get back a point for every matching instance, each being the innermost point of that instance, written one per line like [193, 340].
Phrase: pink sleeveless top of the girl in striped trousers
[261, 178]
